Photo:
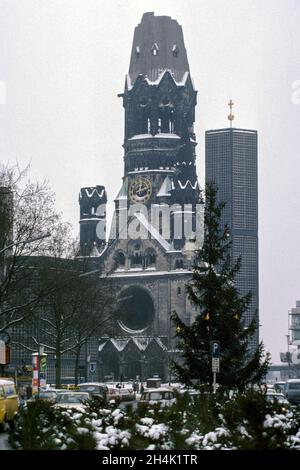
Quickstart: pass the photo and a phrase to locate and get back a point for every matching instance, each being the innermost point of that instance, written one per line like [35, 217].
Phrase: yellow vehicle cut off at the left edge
[9, 403]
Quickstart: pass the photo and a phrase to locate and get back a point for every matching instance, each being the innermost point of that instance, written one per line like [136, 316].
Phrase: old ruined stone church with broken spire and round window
[156, 223]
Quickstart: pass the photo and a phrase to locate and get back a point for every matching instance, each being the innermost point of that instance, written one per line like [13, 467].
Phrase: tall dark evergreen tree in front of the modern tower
[220, 314]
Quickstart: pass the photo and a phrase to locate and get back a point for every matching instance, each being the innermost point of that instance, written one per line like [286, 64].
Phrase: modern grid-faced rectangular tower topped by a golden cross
[231, 163]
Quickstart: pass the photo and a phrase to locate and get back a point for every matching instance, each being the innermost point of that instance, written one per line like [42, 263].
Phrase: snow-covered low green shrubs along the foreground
[206, 422]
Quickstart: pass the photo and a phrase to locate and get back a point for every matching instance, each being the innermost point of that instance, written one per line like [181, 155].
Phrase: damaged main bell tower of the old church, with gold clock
[159, 143]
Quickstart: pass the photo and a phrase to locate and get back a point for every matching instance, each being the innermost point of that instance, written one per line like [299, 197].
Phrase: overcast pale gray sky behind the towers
[62, 63]
